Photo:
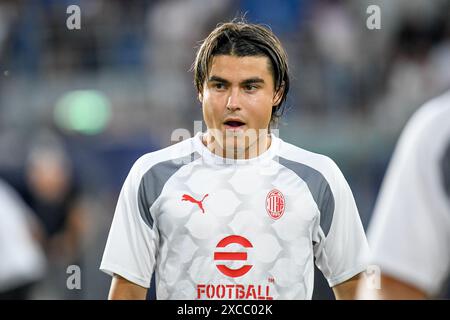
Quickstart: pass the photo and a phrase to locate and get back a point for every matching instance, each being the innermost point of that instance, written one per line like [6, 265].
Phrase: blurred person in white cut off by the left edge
[22, 260]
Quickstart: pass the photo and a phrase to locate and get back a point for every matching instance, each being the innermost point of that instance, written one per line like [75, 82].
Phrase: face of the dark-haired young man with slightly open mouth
[238, 97]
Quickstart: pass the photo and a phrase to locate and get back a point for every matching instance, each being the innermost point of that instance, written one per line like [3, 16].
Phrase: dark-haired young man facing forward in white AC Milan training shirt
[235, 212]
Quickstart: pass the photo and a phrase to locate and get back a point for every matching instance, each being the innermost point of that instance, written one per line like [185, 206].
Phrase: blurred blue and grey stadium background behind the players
[78, 107]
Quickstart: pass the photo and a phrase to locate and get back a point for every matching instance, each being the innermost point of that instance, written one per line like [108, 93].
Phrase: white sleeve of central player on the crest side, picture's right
[342, 251]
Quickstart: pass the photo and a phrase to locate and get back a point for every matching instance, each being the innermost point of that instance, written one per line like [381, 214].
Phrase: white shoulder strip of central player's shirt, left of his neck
[178, 150]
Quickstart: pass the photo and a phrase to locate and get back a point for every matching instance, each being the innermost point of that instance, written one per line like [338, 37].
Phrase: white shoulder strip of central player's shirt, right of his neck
[322, 163]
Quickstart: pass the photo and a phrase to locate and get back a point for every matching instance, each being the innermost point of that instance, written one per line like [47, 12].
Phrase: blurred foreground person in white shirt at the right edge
[410, 230]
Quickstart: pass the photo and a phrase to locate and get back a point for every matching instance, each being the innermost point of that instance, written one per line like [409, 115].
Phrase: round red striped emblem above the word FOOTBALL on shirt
[232, 256]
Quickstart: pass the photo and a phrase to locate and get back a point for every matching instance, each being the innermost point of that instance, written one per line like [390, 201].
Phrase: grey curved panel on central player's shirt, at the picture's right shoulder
[319, 188]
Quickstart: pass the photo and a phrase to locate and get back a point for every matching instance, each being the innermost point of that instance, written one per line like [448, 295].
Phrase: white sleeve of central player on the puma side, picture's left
[131, 246]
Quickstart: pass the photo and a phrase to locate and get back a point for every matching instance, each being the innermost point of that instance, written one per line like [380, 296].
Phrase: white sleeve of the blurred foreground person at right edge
[409, 231]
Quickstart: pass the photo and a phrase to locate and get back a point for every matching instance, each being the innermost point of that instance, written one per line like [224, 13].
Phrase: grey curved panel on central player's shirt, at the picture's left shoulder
[153, 181]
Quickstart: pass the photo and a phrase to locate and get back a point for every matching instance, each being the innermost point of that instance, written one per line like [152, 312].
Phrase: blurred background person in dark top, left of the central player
[54, 196]
